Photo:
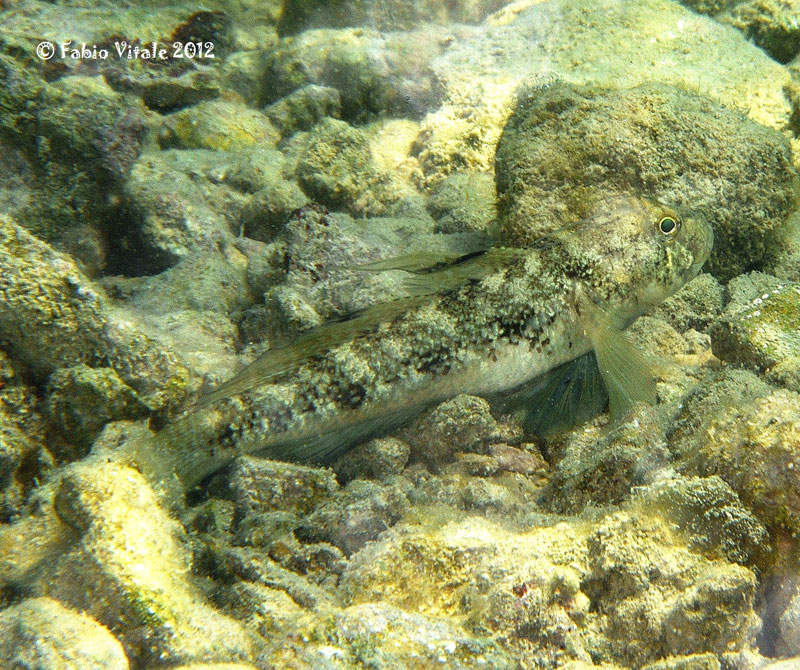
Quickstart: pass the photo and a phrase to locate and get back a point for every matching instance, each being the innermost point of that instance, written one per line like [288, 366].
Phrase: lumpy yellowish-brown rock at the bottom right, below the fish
[707, 608]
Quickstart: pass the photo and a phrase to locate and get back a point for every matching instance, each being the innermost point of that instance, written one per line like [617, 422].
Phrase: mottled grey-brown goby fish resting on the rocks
[483, 324]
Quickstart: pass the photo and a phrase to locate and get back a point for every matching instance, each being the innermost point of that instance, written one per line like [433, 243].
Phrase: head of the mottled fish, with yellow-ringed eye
[632, 253]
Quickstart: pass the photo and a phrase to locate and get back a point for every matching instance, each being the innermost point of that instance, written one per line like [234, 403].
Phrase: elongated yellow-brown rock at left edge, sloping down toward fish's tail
[52, 317]
